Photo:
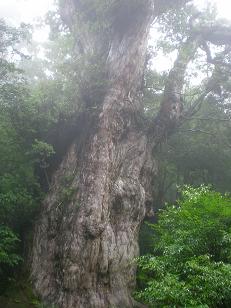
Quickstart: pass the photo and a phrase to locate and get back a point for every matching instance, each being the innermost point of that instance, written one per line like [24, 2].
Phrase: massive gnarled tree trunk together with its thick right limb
[87, 235]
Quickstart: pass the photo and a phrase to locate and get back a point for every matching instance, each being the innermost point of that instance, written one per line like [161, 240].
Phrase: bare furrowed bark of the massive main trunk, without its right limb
[87, 235]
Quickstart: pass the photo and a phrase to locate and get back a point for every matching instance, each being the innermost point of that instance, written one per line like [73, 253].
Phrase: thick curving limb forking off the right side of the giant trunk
[171, 113]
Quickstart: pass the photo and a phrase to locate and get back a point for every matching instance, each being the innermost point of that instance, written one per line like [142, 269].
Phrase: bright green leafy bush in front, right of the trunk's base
[190, 264]
